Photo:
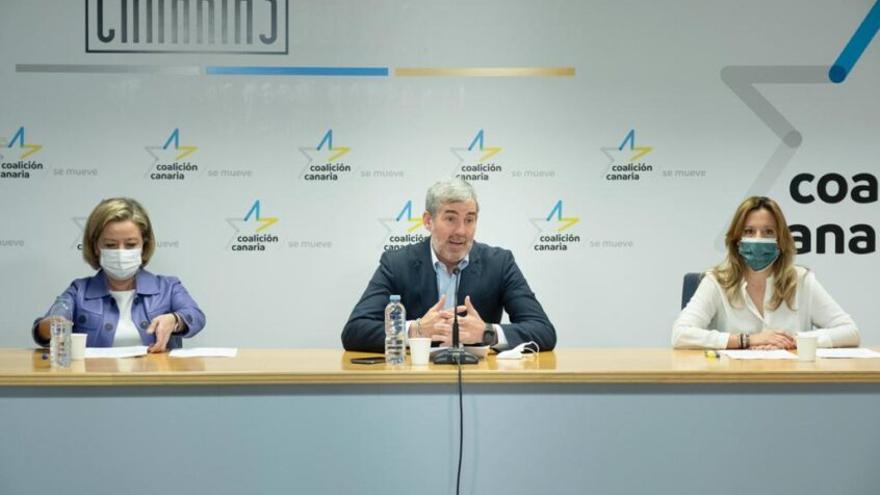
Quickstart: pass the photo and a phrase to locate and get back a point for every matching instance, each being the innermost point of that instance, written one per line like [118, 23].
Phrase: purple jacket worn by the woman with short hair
[95, 312]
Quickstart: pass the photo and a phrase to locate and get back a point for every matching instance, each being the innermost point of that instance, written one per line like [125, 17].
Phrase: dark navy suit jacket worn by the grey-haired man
[491, 278]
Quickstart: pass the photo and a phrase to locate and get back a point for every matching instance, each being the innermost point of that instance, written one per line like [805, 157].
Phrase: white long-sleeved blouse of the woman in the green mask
[709, 318]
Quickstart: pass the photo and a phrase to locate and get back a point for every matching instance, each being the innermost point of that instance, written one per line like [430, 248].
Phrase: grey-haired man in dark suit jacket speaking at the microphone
[424, 275]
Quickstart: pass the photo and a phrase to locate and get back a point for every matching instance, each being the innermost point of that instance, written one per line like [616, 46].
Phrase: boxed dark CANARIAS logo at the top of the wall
[187, 26]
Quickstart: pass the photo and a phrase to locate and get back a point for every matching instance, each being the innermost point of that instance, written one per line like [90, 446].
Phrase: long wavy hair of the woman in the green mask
[731, 271]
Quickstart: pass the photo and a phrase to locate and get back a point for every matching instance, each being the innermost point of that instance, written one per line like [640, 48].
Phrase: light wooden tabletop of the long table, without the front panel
[327, 366]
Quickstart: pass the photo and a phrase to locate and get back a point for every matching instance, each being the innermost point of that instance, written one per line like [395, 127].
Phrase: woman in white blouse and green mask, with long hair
[757, 298]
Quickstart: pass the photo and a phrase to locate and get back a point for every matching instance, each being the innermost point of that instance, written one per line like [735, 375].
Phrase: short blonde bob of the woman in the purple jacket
[116, 210]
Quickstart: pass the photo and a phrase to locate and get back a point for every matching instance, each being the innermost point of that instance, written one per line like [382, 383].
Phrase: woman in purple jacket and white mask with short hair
[123, 304]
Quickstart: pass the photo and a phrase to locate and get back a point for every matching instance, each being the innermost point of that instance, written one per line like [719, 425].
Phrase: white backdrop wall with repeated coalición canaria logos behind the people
[102, 121]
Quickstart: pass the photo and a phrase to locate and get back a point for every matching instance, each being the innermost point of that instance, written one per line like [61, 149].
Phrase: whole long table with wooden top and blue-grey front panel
[614, 421]
